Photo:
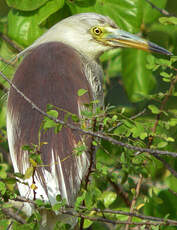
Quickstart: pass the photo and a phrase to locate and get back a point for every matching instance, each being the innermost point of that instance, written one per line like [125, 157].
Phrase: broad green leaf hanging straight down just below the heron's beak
[138, 81]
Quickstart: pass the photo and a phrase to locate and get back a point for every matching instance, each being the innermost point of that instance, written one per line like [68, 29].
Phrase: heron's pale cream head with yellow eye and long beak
[92, 34]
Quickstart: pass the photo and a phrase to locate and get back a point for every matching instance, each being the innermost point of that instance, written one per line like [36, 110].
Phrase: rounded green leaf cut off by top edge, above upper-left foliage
[26, 5]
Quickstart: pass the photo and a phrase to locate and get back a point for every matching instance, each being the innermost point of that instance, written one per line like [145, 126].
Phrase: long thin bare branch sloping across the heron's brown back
[88, 132]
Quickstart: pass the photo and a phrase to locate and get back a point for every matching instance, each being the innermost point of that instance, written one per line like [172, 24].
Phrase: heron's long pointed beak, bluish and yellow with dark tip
[120, 38]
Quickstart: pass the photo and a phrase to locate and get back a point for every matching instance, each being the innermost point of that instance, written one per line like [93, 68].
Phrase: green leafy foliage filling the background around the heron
[134, 80]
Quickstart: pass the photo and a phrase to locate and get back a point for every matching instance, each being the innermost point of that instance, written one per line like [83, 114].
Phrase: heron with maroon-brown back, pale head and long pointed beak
[55, 67]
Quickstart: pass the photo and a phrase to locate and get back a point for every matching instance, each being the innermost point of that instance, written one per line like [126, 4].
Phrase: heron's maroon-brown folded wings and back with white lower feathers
[51, 74]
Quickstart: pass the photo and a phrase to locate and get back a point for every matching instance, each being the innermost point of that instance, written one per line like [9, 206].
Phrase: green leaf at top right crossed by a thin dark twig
[149, 13]
